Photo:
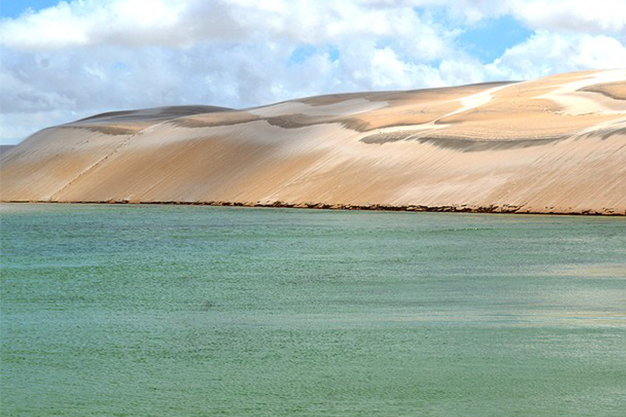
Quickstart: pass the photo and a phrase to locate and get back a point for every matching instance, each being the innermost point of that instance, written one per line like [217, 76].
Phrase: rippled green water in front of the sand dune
[198, 311]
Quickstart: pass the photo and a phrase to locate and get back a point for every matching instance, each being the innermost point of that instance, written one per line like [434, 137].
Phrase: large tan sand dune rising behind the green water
[552, 145]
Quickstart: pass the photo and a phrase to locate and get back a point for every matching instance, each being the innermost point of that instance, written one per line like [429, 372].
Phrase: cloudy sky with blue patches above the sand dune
[60, 61]
